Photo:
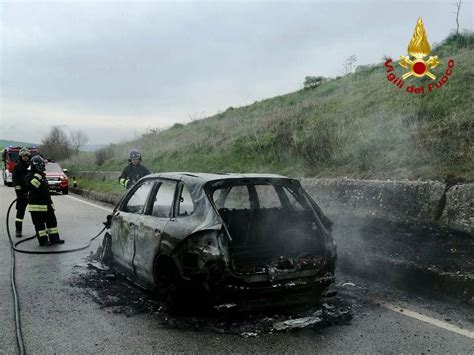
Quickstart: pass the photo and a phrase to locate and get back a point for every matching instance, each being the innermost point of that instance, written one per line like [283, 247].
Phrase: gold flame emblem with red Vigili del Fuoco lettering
[417, 64]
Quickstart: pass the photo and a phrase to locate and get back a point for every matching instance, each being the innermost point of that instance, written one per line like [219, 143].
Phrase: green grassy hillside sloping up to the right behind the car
[359, 125]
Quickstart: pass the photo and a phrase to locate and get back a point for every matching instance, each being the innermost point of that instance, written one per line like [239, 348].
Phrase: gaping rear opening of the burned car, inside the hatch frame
[269, 225]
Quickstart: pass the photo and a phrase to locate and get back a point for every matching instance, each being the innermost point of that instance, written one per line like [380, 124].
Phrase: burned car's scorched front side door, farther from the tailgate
[126, 221]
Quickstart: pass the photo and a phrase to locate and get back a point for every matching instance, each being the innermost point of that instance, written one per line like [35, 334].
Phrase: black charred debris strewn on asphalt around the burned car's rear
[115, 294]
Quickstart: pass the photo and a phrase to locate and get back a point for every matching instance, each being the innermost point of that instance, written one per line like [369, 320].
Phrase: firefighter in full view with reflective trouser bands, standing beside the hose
[40, 204]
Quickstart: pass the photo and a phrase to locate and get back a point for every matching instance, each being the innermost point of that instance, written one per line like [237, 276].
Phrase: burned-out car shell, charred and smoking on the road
[231, 236]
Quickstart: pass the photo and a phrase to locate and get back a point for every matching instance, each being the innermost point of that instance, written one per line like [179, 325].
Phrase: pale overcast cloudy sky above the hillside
[117, 68]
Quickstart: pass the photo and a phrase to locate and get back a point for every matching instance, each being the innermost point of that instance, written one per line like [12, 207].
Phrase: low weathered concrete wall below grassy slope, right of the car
[411, 202]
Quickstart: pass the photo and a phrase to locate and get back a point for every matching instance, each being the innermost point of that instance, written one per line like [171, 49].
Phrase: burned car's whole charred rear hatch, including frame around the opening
[277, 236]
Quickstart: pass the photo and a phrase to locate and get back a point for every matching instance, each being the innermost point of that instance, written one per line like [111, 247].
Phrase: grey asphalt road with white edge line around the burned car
[58, 316]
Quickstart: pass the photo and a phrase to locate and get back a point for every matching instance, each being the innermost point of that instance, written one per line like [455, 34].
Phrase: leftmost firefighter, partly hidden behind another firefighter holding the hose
[18, 177]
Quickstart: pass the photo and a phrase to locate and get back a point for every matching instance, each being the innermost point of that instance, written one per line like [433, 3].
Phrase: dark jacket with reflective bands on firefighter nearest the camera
[39, 198]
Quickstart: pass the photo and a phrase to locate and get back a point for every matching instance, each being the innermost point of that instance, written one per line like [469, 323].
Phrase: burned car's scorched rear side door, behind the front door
[151, 226]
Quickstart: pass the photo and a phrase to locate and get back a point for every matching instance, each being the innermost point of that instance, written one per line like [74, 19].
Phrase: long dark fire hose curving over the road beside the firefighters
[13, 249]
